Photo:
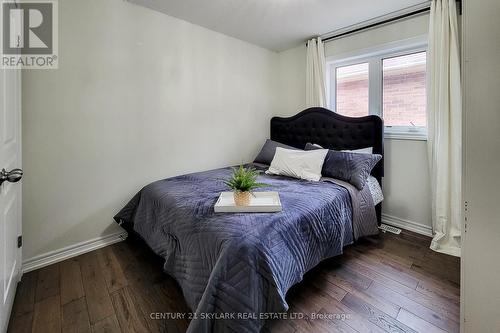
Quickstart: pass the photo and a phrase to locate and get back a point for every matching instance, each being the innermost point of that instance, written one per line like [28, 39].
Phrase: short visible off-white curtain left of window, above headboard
[315, 74]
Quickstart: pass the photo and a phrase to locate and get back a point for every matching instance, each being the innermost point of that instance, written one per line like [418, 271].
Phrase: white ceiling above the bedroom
[276, 24]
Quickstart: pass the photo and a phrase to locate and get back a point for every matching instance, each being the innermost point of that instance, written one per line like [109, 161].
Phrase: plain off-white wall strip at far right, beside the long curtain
[481, 247]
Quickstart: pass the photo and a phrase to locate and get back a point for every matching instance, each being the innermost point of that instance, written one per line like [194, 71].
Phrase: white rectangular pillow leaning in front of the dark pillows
[298, 163]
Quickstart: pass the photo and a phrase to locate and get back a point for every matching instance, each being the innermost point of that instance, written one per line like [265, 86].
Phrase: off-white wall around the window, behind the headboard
[406, 182]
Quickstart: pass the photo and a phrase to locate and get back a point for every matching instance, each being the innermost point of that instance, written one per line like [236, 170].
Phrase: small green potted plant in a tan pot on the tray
[242, 182]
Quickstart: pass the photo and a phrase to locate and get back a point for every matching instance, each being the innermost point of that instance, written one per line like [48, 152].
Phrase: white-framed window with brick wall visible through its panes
[389, 81]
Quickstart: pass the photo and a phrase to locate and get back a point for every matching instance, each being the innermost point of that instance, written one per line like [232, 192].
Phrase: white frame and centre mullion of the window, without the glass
[374, 57]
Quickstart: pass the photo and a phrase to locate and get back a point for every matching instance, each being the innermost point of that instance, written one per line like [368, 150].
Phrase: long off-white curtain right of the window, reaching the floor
[445, 127]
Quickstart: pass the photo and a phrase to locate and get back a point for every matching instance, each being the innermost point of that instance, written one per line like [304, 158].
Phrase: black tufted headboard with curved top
[333, 131]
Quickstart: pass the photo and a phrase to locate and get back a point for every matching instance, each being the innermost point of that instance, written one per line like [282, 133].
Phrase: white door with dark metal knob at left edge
[10, 190]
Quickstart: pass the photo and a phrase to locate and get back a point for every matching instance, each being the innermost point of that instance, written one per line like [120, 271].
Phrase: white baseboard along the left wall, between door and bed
[71, 251]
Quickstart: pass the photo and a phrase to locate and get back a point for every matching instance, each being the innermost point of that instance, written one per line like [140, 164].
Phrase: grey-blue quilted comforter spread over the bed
[239, 266]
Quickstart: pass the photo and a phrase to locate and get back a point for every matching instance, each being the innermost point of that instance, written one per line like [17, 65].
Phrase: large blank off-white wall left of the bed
[138, 96]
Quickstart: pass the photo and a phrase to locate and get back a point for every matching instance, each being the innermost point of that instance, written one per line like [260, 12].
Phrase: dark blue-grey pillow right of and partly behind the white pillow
[353, 168]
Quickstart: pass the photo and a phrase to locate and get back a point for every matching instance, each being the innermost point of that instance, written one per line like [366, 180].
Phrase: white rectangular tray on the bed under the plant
[260, 202]
